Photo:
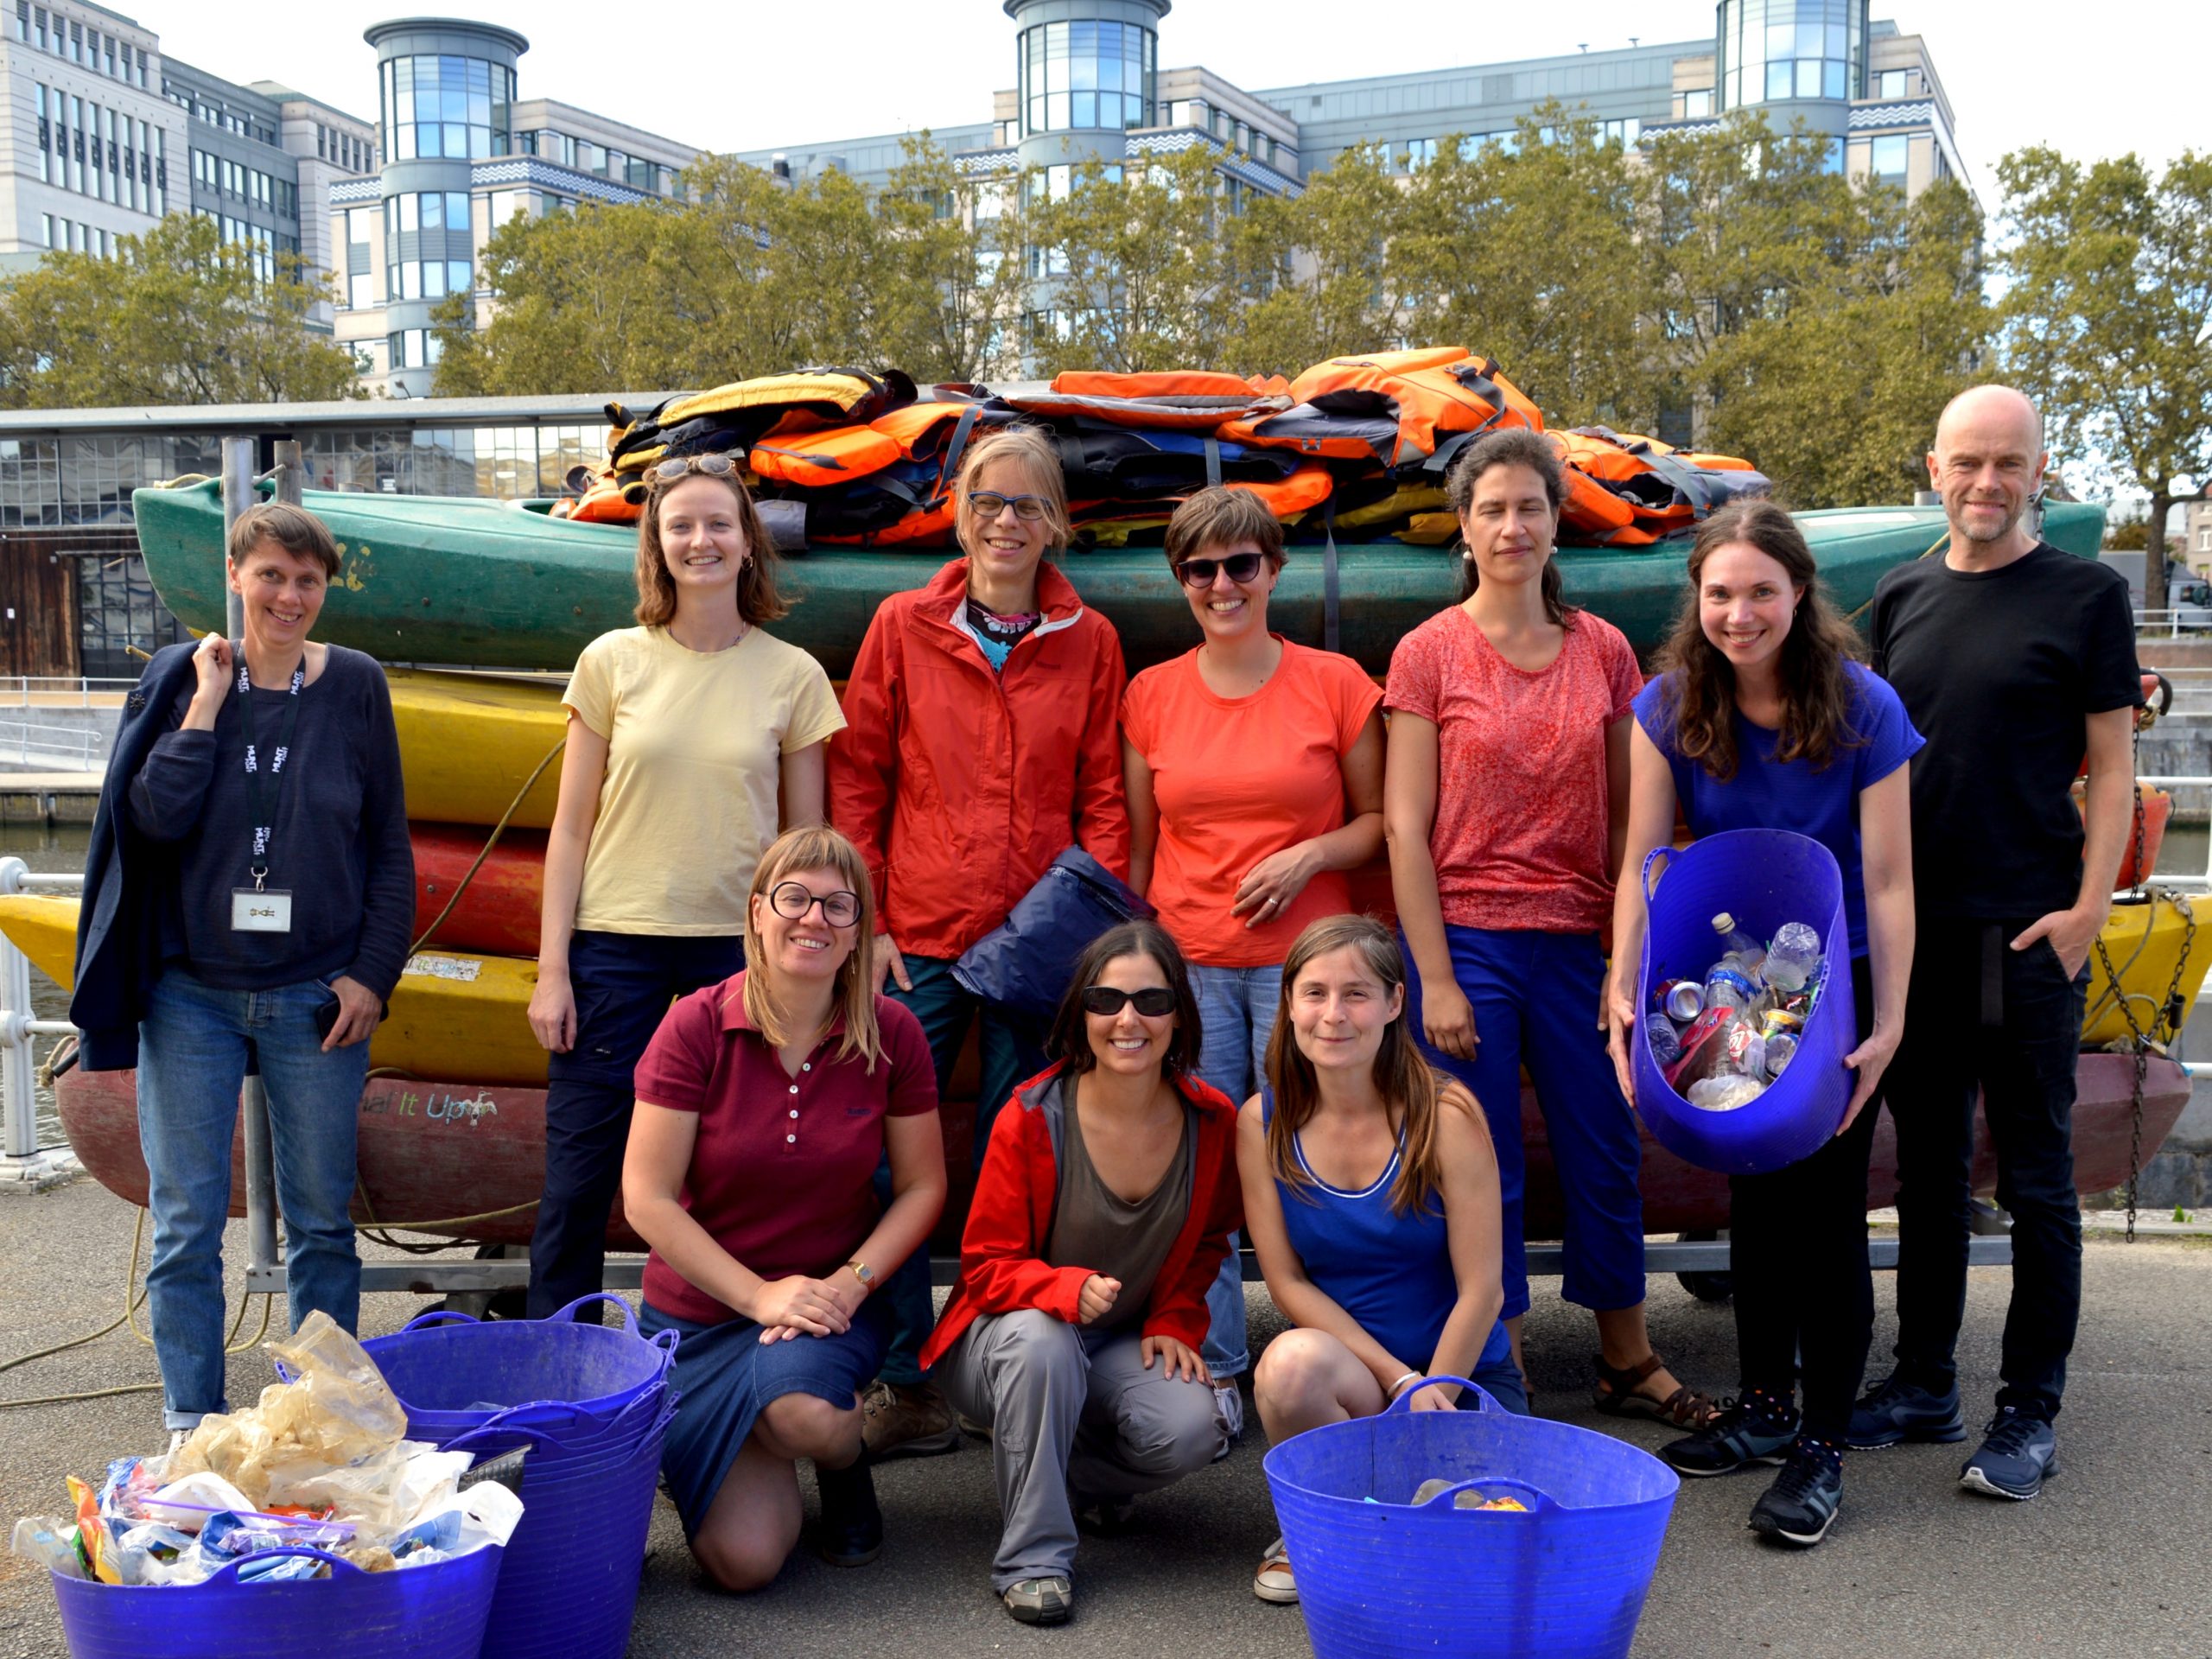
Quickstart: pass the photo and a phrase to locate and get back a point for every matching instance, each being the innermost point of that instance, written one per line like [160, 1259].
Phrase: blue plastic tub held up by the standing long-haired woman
[1764, 879]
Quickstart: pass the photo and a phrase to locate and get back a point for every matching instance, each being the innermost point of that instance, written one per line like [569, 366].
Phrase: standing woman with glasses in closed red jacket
[981, 747]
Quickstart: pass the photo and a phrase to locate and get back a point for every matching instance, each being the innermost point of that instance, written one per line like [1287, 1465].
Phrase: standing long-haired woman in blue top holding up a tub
[1762, 720]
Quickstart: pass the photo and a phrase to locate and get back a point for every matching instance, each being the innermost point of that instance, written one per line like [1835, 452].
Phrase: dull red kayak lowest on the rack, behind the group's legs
[435, 1156]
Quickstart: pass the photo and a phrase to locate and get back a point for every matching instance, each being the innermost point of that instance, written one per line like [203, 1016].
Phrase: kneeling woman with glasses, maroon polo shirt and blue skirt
[764, 1105]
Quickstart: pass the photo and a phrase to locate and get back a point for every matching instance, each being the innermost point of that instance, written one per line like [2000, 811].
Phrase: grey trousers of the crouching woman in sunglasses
[1074, 1419]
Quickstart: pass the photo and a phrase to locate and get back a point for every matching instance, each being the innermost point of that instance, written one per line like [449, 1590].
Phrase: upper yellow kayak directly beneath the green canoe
[470, 742]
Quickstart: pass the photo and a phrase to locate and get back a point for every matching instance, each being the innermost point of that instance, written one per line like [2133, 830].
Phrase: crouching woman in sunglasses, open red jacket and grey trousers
[1103, 1215]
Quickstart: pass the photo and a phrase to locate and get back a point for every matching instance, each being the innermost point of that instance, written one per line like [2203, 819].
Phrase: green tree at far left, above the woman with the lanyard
[176, 317]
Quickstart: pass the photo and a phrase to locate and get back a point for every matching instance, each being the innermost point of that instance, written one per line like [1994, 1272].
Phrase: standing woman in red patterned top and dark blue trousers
[1505, 808]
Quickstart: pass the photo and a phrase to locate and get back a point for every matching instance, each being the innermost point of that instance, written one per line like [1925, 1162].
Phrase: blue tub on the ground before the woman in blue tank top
[1563, 1580]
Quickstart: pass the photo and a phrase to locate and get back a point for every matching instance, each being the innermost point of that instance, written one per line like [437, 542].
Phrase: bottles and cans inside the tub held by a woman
[1726, 1039]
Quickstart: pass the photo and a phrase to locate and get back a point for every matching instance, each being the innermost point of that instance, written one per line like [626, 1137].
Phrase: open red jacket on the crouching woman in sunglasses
[1016, 1196]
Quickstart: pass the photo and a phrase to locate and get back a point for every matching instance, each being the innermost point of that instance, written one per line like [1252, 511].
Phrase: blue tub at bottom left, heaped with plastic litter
[415, 1614]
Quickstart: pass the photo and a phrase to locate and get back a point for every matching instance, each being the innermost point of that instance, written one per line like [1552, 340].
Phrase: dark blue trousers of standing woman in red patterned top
[1536, 1001]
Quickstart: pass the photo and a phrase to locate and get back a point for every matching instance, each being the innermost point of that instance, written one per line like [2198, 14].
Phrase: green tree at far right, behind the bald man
[2109, 320]
